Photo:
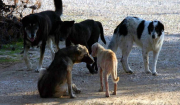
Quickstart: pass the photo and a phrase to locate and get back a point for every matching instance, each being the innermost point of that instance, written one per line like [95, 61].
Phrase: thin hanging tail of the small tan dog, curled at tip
[115, 78]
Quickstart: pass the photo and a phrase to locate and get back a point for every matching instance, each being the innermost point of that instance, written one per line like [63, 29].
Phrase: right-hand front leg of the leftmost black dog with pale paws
[42, 50]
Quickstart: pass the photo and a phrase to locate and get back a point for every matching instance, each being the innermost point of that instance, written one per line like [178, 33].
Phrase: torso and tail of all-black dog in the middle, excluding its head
[87, 31]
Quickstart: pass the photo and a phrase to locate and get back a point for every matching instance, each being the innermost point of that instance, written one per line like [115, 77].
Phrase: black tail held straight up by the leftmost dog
[58, 7]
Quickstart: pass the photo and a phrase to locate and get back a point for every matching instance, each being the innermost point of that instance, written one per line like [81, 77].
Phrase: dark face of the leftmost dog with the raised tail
[31, 26]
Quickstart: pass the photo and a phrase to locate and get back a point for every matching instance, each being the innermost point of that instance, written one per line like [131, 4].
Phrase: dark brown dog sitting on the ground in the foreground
[53, 81]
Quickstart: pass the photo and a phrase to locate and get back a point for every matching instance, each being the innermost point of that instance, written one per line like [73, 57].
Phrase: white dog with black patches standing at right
[149, 35]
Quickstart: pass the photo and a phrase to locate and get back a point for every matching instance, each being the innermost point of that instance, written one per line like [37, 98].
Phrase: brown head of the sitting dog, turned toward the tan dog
[82, 55]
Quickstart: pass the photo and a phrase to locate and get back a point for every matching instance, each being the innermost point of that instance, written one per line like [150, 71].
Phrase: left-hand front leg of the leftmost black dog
[25, 56]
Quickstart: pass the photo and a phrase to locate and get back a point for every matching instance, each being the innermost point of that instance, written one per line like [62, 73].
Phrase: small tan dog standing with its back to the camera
[107, 62]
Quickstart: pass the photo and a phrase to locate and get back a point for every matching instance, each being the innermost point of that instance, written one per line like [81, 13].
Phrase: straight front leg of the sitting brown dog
[69, 79]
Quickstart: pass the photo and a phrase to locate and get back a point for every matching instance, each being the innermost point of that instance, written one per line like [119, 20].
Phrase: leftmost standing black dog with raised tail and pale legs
[42, 28]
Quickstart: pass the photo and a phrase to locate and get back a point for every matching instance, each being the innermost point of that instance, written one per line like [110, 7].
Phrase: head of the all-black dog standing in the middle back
[65, 29]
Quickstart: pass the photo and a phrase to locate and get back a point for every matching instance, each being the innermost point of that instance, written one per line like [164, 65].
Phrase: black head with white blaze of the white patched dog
[155, 29]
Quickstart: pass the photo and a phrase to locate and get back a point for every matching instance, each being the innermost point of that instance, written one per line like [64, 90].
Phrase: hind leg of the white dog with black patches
[126, 49]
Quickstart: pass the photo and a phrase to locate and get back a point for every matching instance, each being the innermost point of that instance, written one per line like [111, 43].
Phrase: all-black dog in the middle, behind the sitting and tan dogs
[86, 33]
